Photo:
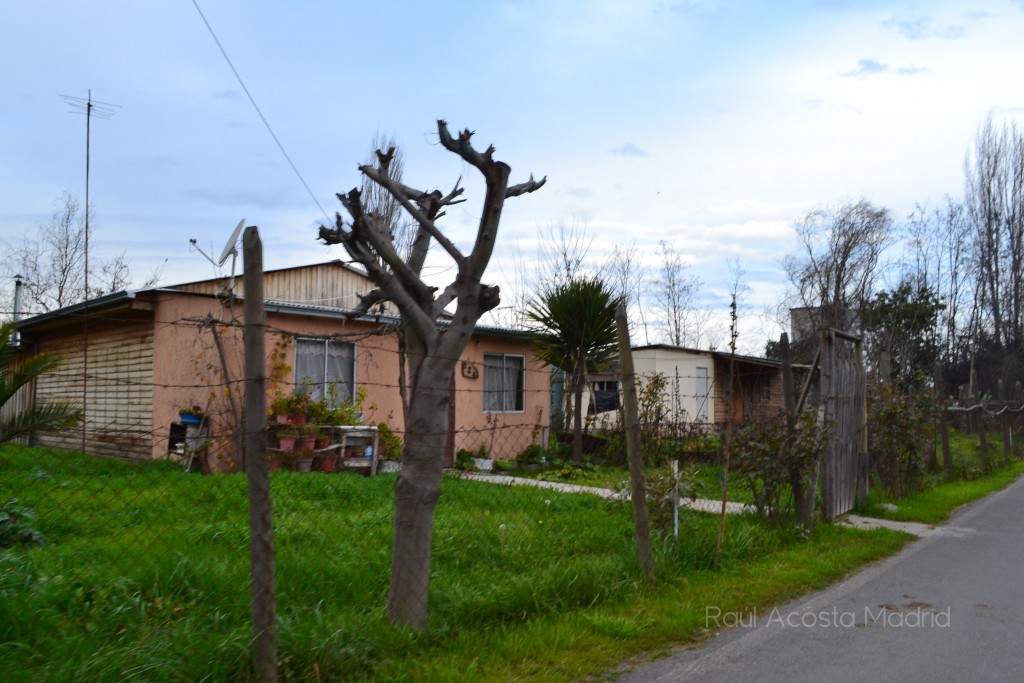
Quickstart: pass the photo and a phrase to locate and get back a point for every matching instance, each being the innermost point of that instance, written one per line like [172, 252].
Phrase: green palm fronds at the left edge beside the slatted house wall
[56, 415]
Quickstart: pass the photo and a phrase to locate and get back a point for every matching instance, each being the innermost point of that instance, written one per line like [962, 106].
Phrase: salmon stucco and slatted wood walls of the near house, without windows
[158, 355]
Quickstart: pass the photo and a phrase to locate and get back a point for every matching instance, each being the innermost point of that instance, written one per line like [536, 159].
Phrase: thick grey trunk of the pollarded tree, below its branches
[417, 494]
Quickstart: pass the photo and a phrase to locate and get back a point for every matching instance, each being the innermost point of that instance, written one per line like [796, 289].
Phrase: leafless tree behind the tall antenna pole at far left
[53, 267]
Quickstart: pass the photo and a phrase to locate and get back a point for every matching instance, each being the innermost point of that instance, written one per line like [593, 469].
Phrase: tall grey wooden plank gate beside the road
[844, 460]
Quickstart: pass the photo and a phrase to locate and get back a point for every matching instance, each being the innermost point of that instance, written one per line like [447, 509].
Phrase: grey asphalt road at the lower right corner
[949, 608]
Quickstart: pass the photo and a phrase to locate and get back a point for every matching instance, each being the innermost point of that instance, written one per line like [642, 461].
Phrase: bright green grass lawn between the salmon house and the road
[144, 576]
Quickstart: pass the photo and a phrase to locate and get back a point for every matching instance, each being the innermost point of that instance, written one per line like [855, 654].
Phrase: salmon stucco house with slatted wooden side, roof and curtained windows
[136, 359]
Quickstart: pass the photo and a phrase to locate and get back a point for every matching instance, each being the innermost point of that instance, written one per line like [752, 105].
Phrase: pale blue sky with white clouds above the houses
[713, 126]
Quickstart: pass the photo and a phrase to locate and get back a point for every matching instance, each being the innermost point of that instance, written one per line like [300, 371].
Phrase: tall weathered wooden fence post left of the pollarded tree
[258, 465]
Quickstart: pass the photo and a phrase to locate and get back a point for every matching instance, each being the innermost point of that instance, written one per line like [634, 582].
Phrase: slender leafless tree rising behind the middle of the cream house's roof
[675, 295]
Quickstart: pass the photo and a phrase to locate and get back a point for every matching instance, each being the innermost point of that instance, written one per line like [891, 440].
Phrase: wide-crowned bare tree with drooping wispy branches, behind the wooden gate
[838, 261]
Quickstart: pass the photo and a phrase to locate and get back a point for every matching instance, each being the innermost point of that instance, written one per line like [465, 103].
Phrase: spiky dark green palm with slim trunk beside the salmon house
[575, 331]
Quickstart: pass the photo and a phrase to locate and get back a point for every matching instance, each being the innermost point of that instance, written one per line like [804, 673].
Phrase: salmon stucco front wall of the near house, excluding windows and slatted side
[188, 359]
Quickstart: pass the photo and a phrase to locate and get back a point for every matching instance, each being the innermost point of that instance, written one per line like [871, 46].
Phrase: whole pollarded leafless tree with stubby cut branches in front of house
[433, 350]
